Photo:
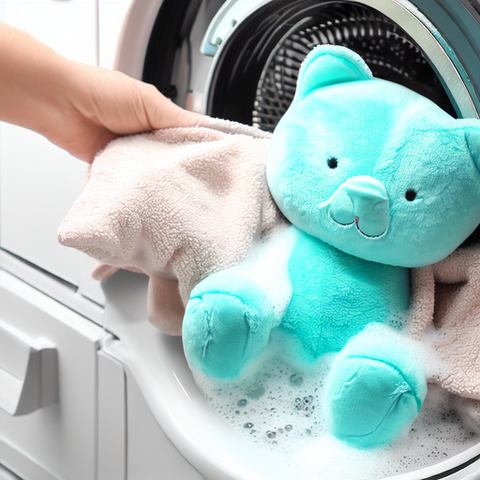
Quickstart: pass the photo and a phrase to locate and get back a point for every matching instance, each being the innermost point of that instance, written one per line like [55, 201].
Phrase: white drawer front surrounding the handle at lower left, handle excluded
[58, 440]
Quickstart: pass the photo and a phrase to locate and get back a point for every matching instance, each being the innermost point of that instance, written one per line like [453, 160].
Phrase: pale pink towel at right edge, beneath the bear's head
[446, 319]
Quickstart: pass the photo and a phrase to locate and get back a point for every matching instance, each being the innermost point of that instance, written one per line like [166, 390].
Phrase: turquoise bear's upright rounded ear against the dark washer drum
[329, 65]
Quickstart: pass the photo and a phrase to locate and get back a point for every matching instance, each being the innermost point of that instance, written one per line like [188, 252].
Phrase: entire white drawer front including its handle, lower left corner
[48, 390]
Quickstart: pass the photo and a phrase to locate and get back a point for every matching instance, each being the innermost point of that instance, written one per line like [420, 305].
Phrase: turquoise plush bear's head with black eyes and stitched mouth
[373, 168]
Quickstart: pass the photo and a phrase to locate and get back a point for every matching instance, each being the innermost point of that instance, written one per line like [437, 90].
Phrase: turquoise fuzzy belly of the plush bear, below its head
[335, 295]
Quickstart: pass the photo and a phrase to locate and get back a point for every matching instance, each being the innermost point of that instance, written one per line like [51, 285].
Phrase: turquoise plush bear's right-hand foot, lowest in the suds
[375, 391]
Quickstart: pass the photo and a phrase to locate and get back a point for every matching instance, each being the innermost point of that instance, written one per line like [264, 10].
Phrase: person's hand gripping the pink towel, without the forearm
[108, 104]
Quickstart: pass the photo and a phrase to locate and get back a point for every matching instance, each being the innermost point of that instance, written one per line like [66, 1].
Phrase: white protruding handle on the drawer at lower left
[28, 371]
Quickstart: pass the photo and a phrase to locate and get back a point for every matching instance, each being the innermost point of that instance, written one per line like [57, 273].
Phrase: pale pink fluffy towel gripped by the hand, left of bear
[177, 204]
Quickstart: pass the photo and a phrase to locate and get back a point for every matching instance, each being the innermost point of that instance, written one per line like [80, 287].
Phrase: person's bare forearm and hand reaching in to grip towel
[78, 107]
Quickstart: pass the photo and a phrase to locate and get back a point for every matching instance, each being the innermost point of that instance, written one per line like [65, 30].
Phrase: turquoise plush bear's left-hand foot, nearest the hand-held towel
[227, 323]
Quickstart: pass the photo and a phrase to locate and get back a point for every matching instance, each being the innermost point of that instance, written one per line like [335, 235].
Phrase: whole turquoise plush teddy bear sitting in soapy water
[375, 179]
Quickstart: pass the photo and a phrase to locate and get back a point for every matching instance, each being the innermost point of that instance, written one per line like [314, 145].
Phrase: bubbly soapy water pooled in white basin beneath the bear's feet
[279, 407]
